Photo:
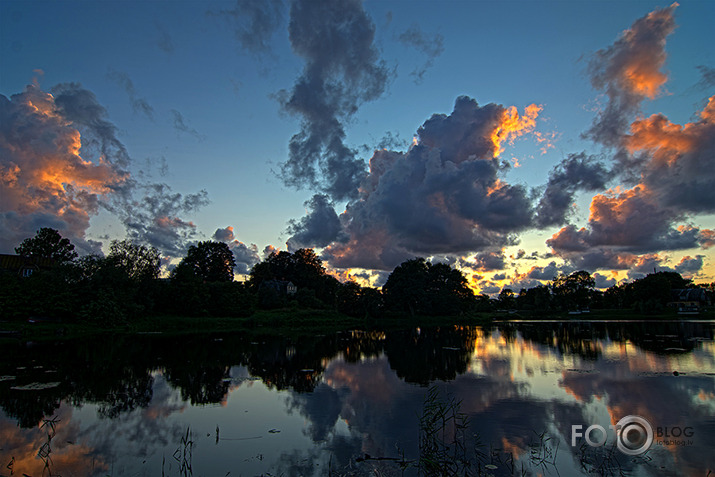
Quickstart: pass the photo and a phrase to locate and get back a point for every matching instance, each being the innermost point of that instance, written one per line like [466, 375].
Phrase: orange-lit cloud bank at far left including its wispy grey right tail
[61, 162]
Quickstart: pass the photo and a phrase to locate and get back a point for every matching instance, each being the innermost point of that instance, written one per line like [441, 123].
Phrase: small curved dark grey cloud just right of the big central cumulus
[576, 172]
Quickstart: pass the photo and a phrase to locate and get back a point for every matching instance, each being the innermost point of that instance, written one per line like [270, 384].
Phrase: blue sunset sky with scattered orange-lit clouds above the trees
[513, 140]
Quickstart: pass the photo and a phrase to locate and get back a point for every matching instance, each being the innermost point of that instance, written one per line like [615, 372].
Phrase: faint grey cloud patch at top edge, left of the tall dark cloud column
[254, 22]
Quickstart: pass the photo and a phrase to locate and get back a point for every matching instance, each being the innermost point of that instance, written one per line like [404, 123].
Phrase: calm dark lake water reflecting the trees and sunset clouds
[351, 403]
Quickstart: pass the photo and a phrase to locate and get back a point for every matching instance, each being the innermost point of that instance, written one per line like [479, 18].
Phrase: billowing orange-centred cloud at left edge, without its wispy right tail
[45, 181]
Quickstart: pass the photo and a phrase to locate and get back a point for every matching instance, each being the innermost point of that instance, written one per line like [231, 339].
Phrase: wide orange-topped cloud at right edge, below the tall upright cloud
[675, 182]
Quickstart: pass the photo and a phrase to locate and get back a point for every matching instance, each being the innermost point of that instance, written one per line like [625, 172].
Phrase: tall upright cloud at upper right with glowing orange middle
[628, 72]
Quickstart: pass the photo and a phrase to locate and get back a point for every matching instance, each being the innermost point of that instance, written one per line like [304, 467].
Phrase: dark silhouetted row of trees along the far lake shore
[126, 284]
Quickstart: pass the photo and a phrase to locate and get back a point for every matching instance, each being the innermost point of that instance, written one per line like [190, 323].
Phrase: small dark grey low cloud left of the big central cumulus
[317, 229]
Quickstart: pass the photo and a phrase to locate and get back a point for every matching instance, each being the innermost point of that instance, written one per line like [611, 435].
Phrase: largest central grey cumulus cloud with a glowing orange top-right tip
[442, 196]
